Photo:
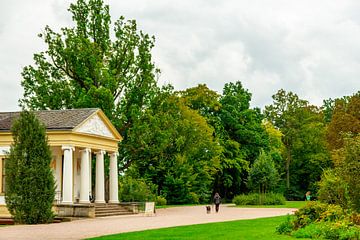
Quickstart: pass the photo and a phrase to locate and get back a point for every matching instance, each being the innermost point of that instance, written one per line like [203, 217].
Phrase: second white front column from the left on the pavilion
[84, 174]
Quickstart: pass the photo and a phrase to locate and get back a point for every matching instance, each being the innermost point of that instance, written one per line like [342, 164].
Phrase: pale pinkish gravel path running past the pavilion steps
[177, 216]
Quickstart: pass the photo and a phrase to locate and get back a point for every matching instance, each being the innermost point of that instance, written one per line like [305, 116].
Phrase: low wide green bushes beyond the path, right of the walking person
[259, 199]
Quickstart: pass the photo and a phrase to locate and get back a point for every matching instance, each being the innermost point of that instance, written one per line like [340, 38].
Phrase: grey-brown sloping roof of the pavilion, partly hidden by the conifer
[52, 119]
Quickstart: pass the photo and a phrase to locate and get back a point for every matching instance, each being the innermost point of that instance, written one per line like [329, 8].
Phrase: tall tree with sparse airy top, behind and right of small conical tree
[303, 128]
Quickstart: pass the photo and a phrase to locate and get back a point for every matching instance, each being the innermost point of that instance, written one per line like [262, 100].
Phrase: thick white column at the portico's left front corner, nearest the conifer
[68, 174]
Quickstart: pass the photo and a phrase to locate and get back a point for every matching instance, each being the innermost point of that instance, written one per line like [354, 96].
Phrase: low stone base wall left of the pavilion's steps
[75, 210]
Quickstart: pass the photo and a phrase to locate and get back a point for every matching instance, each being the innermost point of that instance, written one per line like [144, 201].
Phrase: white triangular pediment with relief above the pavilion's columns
[95, 125]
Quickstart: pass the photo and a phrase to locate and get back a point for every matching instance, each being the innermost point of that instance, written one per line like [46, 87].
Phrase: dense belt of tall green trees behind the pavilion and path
[185, 145]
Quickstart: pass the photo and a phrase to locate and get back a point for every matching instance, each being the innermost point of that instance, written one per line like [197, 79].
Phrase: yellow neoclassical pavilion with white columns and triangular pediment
[75, 136]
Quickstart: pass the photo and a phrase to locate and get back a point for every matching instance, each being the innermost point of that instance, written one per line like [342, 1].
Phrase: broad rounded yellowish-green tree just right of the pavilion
[173, 147]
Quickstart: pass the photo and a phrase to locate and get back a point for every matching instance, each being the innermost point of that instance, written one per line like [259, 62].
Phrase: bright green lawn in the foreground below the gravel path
[262, 228]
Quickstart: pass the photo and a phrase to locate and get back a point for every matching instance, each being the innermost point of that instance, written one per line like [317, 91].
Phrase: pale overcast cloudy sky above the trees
[309, 47]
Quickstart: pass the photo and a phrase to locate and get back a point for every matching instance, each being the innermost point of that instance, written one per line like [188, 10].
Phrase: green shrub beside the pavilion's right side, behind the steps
[135, 190]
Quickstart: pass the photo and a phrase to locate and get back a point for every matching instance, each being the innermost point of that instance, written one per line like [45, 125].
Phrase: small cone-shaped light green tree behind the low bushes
[263, 175]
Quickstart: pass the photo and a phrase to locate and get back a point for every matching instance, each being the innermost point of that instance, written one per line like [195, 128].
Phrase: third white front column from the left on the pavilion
[100, 178]
